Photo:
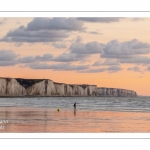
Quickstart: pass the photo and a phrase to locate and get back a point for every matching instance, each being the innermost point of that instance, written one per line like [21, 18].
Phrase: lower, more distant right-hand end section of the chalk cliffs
[115, 92]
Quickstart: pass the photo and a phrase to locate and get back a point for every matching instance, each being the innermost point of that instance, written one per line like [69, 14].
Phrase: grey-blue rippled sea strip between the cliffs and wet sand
[135, 104]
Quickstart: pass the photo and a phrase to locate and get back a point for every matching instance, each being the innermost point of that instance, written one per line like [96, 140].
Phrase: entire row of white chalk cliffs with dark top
[44, 87]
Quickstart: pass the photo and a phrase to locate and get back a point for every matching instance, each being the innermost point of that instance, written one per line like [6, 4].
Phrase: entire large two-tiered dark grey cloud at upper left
[44, 30]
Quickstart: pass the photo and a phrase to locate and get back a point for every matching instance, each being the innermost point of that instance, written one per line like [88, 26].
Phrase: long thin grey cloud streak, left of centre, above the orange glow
[60, 67]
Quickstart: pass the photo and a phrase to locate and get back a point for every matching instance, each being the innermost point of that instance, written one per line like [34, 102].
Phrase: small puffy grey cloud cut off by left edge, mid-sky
[7, 55]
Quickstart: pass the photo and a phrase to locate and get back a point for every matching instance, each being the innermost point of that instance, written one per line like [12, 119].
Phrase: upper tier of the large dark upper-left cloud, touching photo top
[56, 23]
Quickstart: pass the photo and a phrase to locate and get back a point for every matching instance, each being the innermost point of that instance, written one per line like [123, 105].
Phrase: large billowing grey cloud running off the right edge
[116, 49]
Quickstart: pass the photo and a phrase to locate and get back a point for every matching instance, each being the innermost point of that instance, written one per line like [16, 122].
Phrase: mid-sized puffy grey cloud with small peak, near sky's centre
[88, 48]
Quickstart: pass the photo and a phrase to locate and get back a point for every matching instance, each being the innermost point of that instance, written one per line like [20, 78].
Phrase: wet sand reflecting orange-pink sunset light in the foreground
[29, 120]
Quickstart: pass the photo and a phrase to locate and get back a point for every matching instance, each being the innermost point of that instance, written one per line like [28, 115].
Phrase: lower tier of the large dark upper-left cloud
[21, 35]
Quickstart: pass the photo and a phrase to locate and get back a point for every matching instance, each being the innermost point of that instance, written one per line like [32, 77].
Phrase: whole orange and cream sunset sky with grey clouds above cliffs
[104, 51]
